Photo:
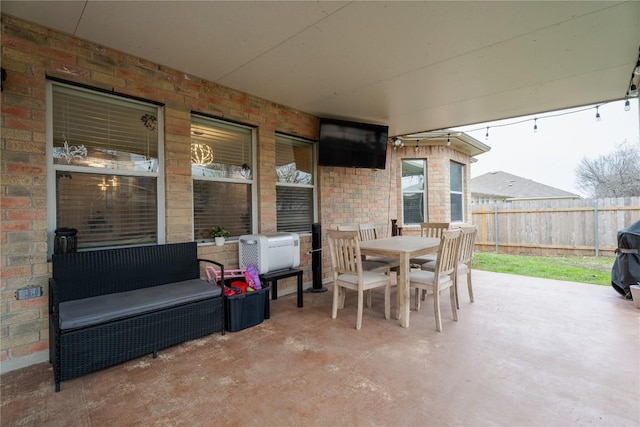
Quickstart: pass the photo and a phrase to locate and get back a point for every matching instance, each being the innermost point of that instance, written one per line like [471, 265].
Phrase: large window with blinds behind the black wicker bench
[105, 165]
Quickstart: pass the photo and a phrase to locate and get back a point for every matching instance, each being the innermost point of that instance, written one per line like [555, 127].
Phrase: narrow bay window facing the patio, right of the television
[413, 191]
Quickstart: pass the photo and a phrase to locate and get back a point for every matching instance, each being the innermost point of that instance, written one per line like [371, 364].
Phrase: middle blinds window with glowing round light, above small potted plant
[222, 159]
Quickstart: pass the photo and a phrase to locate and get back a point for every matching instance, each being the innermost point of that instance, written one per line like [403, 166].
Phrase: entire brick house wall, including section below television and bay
[30, 53]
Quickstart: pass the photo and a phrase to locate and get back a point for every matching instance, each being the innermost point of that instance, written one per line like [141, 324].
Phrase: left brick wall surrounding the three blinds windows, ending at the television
[31, 53]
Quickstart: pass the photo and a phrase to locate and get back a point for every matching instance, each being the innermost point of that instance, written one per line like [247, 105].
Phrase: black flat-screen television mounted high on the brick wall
[351, 144]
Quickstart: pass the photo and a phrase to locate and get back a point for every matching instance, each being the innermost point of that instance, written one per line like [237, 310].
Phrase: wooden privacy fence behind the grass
[555, 226]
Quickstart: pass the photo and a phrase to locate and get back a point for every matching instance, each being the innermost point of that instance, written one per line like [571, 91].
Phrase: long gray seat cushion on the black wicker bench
[96, 310]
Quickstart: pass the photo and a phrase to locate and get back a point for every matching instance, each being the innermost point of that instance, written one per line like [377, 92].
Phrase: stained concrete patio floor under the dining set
[528, 352]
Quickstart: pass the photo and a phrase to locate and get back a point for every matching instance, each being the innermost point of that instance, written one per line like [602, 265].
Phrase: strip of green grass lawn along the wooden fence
[592, 270]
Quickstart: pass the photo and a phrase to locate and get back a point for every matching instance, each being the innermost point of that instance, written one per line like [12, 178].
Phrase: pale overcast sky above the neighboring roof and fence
[551, 154]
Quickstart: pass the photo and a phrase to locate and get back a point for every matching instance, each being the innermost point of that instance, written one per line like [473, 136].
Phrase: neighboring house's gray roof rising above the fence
[505, 185]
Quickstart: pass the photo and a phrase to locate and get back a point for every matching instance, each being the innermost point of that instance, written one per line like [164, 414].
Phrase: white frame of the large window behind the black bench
[53, 168]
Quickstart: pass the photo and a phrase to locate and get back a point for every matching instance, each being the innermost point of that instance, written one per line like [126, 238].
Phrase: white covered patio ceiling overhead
[415, 66]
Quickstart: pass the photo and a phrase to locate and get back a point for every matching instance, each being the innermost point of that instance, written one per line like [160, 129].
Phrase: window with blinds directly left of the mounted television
[295, 184]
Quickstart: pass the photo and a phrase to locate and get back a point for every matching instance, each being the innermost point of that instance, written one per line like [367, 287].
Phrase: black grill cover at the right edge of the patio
[626, 268]
